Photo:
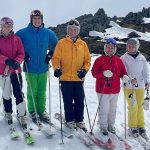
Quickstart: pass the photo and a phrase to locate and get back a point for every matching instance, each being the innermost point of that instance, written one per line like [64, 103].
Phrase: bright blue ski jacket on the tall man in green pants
[36, 42]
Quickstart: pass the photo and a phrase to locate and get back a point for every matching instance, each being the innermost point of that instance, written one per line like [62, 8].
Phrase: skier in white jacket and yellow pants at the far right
[137, 69]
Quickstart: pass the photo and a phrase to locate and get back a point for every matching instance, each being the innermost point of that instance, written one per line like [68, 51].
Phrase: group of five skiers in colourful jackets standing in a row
[71, 61]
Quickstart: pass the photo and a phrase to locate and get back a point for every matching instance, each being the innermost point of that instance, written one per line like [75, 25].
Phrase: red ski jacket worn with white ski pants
[111, 85]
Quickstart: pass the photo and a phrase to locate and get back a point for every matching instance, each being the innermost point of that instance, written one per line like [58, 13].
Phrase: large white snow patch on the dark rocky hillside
[119, 32]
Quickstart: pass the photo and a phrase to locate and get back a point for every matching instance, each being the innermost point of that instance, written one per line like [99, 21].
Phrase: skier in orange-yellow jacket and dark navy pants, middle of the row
[71, 61]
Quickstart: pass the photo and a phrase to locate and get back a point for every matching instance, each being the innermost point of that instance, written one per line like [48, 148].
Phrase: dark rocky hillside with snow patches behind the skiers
[138, 24]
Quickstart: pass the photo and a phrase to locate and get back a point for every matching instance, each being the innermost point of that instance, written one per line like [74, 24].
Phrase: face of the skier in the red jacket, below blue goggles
[110, 49]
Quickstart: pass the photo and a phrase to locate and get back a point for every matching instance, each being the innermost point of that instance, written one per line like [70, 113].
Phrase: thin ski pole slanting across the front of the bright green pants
[33, 100]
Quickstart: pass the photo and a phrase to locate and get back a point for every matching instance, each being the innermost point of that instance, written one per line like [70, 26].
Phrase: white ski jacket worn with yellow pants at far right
[137, 68]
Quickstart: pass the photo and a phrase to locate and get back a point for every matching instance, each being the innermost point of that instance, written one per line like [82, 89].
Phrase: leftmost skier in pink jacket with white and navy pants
[11, 56]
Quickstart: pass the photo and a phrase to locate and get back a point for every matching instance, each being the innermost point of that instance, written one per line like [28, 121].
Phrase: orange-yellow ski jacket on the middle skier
[71, 57]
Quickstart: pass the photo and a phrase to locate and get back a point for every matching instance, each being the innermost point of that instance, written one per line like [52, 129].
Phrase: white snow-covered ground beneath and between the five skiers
[45, 144]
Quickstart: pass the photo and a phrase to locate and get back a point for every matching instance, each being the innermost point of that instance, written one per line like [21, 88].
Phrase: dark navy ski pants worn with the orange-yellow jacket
[73, 97]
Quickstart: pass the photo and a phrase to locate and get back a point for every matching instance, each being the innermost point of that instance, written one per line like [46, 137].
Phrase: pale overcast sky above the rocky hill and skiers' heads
[60, 11]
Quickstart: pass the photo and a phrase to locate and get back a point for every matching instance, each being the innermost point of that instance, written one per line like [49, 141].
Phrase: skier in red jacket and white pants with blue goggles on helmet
[108, 69]
